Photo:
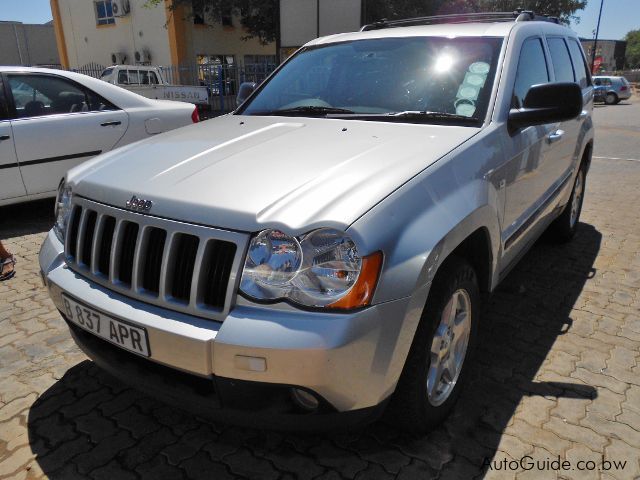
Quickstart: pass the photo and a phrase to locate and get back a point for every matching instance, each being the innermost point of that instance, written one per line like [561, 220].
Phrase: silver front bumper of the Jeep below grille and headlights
[352, 361]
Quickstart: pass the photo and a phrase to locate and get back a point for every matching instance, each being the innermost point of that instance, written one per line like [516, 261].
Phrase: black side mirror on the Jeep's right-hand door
[547, 103]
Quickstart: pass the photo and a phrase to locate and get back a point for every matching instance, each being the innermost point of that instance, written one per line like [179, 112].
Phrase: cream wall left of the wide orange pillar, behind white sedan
[86, 42]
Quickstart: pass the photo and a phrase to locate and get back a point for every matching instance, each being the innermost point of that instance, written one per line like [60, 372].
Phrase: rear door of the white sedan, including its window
[57, 124]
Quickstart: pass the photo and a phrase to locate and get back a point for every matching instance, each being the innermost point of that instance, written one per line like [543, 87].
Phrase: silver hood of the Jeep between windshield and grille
[246, 173]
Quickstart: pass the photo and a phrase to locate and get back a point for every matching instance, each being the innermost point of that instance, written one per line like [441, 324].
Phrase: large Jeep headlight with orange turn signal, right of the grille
[320, 269]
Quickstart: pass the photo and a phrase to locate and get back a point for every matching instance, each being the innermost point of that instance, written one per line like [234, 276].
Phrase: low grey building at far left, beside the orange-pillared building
[28, 44]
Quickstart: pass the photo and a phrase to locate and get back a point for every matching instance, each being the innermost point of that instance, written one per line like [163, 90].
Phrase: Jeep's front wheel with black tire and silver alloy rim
[419, 404]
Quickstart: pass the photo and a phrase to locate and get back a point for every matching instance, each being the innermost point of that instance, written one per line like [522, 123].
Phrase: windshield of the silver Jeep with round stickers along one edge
[439, 77]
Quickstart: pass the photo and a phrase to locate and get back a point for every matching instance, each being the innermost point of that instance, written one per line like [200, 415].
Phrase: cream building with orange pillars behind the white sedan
[109, 32]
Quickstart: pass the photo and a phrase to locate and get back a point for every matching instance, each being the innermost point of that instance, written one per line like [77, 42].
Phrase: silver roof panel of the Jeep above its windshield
[449, 30]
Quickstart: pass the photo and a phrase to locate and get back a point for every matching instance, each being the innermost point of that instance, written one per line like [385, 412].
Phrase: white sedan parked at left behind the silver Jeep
[51, 120]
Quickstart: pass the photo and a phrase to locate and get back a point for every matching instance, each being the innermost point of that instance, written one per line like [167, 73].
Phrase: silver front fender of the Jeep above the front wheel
[421, 223]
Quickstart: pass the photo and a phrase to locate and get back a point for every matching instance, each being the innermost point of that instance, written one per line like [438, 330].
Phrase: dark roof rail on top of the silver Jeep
[518, 15]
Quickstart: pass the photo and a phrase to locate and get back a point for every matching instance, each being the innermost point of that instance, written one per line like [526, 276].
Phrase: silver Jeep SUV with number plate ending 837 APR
[322, 252]
